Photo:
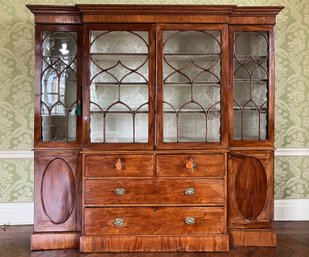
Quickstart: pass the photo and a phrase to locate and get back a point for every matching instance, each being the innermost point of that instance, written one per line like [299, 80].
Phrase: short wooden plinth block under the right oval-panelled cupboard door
[253, 238]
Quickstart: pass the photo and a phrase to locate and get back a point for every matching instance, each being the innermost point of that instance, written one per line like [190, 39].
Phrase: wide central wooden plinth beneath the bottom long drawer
[219, 243]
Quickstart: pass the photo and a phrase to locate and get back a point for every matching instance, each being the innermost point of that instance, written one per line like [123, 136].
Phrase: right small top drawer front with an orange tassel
[191, 165]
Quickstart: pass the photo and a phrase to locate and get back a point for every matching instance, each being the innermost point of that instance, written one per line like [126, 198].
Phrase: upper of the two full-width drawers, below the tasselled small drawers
[161, 191]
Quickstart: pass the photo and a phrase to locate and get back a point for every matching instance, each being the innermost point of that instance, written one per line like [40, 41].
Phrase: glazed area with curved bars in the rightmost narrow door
[251, 85]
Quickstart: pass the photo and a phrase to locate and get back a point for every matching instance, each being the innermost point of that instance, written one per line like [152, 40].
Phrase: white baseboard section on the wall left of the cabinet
[16, 213]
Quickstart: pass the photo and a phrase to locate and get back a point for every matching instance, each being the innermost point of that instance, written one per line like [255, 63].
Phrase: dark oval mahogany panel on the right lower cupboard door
[250, 188]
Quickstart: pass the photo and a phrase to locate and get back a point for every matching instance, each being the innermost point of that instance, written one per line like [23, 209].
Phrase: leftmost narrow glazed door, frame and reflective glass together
[58, 86]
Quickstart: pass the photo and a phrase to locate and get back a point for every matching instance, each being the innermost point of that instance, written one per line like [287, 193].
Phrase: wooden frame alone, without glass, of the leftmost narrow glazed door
[38, 142]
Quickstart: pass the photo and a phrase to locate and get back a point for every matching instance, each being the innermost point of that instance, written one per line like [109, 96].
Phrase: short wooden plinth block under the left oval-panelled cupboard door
[50, 241]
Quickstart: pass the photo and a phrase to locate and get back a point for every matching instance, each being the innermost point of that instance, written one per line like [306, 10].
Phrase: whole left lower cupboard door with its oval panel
[57, 191]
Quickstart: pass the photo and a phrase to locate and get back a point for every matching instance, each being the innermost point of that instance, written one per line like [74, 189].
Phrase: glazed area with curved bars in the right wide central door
[191, 86]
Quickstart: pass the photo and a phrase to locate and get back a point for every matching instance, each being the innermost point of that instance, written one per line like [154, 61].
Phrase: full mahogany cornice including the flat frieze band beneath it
[99, 13]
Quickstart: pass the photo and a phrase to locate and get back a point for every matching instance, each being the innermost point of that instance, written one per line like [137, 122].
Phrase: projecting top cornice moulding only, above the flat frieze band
[142, 9]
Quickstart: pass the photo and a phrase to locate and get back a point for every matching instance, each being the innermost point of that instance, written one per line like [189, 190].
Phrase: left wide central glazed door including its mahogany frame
[119, 92]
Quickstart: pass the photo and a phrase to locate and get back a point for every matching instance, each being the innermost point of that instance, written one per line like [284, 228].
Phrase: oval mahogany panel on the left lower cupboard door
[58, 191]
